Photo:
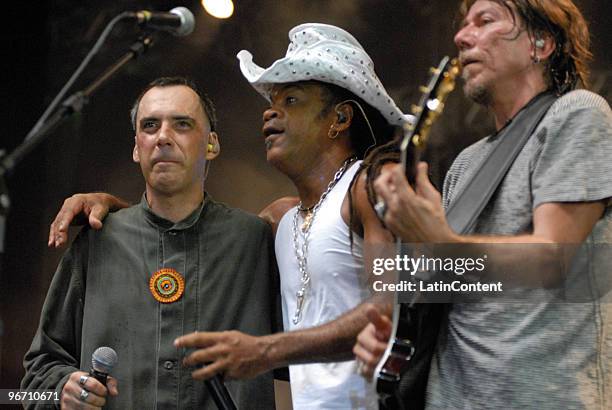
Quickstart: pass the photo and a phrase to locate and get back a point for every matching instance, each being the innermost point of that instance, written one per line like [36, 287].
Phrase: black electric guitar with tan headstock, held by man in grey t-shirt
[415, 325]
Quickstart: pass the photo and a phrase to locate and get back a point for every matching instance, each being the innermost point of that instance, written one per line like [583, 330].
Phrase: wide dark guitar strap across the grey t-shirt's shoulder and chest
[469, 203]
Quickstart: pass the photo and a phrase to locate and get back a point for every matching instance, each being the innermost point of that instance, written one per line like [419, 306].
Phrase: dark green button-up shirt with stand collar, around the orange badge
[100, 296]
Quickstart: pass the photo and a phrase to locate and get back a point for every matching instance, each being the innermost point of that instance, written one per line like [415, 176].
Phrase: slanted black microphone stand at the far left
[71, 105]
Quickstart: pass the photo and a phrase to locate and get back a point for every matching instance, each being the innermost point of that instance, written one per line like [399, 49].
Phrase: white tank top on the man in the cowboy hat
[337, 284]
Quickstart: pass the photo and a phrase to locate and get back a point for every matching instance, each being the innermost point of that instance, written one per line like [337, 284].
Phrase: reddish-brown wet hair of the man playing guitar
[562, 20]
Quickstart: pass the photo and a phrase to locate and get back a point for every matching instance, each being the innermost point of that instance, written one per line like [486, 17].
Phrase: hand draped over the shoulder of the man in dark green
[93, 206]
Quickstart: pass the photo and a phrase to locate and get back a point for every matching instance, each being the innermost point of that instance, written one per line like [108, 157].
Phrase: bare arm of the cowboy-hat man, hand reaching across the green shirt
[238, 355]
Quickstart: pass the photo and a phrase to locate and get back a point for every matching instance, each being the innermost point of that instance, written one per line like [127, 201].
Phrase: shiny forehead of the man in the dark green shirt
[171, 101]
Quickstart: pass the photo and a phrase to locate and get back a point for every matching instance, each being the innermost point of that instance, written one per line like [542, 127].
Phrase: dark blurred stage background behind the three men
[46, 40]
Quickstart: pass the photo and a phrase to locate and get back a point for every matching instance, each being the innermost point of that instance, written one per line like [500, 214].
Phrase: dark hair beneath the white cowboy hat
[360, 135]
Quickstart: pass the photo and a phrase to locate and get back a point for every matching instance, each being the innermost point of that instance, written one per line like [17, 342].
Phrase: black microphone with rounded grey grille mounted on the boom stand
[178, 21]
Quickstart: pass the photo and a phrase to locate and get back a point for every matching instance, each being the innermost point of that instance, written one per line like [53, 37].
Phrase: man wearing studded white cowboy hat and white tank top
[328, 108]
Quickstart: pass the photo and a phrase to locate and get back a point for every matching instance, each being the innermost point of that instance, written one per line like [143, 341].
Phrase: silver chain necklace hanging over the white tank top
[301, 254]
